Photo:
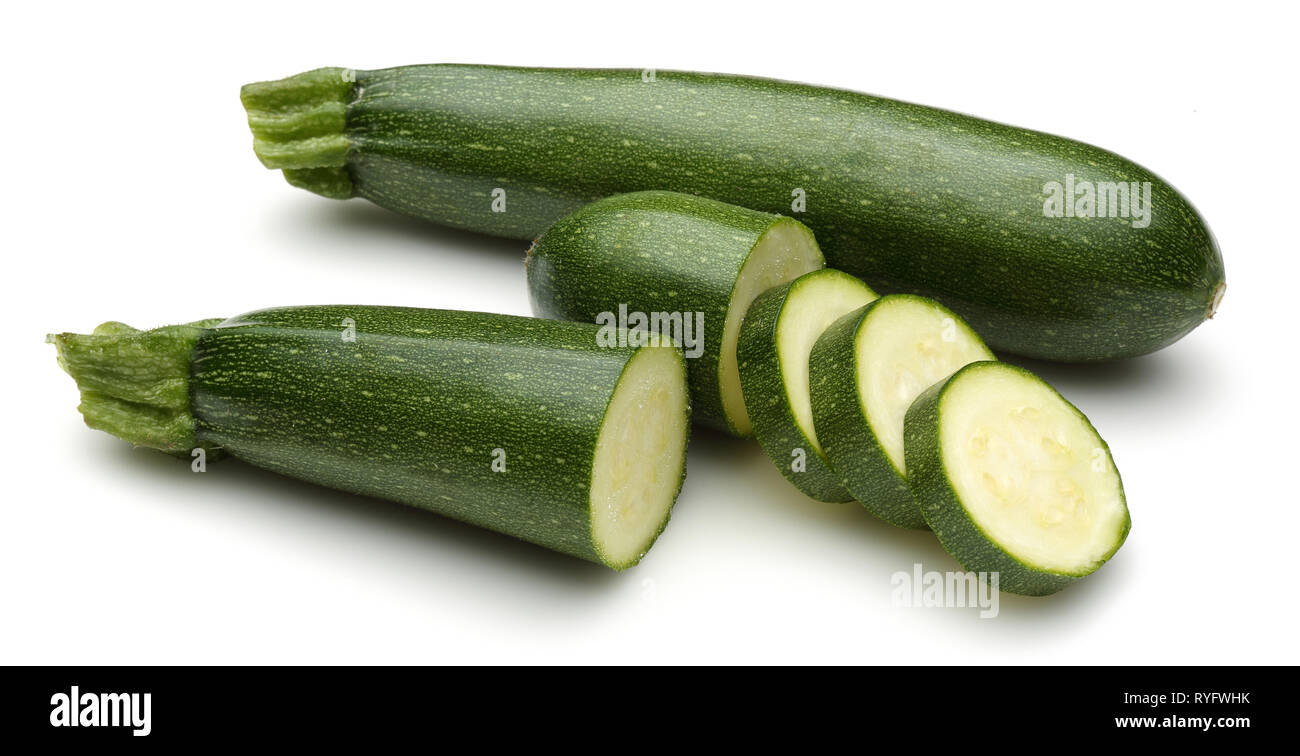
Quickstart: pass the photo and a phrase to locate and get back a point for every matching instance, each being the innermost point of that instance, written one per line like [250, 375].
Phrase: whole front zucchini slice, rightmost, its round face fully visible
[1013, 479]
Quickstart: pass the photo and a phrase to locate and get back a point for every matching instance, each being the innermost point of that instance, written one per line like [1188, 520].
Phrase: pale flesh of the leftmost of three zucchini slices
[812, 306]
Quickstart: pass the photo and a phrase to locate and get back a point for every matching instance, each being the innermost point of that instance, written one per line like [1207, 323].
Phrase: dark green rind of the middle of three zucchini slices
[843, 429]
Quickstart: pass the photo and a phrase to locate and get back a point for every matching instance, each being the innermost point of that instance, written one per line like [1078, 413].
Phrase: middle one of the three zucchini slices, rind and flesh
[865, 372]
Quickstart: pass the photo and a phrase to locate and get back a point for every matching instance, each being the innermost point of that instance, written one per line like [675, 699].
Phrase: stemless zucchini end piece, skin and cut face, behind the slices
[683, 262]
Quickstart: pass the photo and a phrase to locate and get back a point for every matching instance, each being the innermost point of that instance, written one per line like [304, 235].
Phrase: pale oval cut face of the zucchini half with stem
[639, 458]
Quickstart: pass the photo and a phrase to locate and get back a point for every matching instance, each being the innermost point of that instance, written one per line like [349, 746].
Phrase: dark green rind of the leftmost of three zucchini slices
[764, 384]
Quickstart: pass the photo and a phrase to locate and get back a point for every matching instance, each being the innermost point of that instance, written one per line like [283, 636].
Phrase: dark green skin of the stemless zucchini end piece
[652, 253]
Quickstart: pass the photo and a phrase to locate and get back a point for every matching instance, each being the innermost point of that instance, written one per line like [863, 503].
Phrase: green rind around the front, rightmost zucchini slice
[943, 510]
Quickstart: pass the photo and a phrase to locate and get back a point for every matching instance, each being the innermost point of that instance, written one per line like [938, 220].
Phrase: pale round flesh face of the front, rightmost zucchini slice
[1030, 472]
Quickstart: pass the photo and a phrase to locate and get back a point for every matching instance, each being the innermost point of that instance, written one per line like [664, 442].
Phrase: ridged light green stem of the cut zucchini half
[136, 385]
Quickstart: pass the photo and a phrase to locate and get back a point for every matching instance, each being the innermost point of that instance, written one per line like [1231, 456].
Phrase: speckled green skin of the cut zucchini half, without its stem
[413, 410]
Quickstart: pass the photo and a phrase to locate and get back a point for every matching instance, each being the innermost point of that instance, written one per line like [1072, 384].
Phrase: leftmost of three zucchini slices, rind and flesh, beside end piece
[775, 341]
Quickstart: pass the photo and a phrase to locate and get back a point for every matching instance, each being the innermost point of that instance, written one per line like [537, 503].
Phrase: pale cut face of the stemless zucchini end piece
[783, 254]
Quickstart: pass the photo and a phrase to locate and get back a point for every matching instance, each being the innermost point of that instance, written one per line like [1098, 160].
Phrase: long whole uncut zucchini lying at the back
[909, 198]
